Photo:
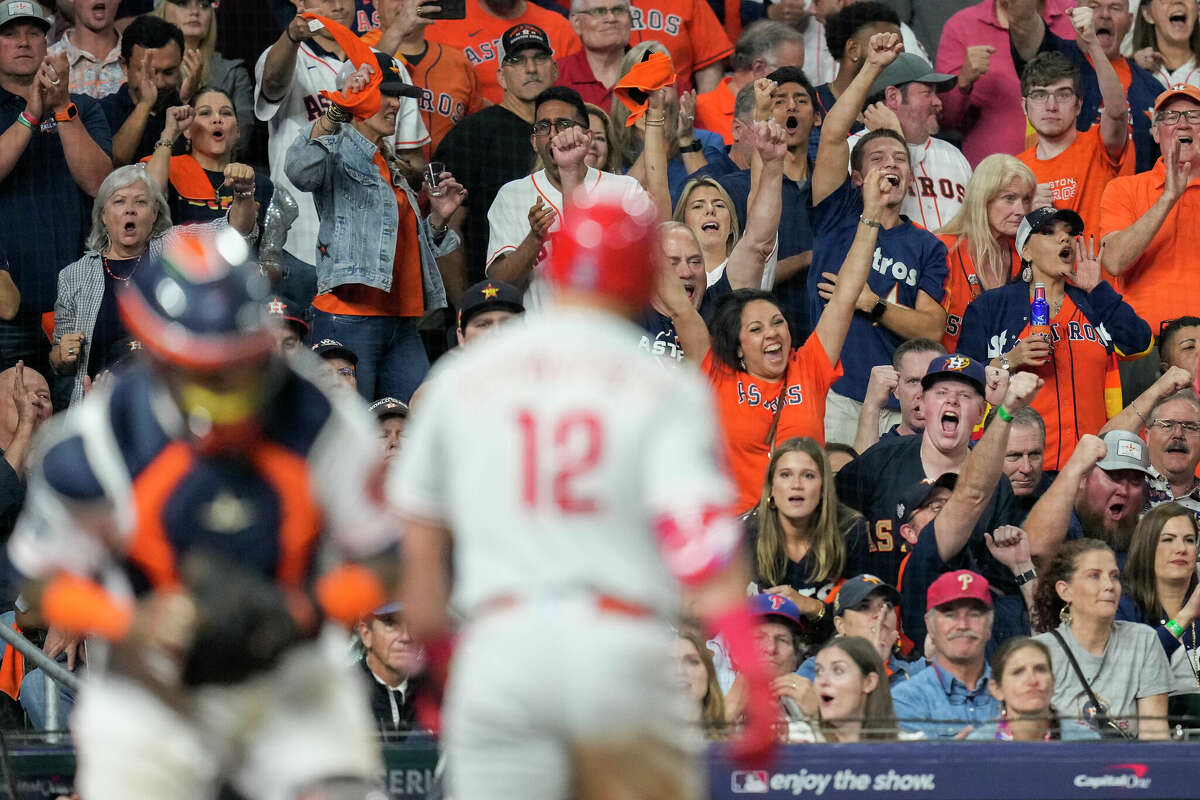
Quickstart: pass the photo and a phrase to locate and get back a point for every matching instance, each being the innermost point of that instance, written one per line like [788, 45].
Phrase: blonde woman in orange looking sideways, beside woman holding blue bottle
[981, 238]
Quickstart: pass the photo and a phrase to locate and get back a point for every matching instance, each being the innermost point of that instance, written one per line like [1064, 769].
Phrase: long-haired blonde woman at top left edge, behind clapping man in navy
[205, 67]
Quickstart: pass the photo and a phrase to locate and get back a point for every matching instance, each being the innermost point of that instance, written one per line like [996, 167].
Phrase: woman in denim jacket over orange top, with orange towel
[377, 273]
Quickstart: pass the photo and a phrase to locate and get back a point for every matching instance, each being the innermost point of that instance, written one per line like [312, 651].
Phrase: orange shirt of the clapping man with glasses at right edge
[1162, 284]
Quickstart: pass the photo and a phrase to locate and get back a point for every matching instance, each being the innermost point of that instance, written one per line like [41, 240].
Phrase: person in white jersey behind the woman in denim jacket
[291, 110]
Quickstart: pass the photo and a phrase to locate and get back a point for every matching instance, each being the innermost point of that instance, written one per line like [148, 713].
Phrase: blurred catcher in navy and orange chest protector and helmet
[178, 514]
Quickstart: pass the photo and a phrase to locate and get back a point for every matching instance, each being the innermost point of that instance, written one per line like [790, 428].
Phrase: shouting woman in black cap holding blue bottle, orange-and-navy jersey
[1088, 324]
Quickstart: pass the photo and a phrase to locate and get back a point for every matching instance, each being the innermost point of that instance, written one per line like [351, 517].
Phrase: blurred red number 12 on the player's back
[556, 452]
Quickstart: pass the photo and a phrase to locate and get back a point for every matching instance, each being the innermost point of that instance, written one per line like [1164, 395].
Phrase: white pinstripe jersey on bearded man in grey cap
[940, 177]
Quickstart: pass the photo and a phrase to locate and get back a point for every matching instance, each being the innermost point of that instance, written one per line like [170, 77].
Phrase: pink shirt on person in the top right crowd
[991, 116]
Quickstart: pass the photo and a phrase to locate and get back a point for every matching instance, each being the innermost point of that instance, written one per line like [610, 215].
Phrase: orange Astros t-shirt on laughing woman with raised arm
[747, 407]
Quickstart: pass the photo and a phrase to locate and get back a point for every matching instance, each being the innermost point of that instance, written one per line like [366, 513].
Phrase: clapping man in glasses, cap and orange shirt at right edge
[1151, 221]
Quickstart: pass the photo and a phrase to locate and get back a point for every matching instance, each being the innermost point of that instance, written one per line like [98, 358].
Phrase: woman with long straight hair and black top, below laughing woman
[805, 542]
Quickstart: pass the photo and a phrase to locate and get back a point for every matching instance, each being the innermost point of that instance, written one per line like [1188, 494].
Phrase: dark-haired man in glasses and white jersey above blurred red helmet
[529, 210]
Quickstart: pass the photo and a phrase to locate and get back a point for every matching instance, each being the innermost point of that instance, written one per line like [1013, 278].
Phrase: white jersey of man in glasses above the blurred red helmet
[509, 218]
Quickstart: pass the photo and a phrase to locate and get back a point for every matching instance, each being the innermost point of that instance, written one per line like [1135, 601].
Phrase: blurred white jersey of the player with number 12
[549, 449]
